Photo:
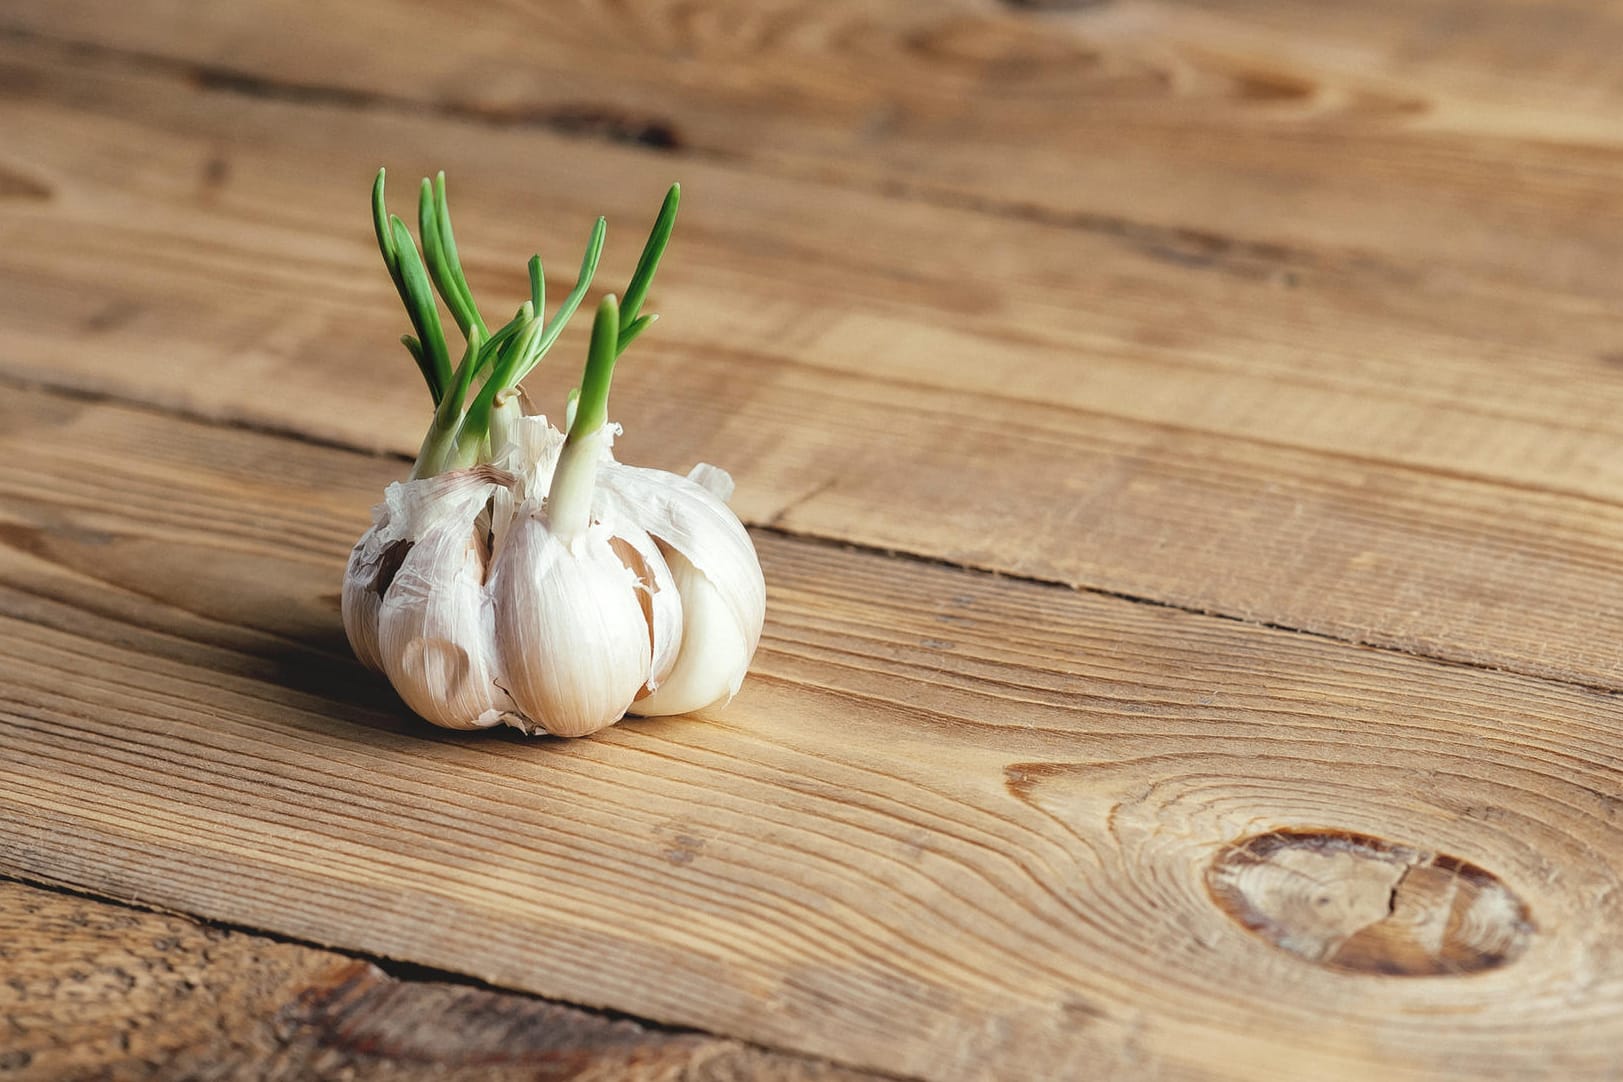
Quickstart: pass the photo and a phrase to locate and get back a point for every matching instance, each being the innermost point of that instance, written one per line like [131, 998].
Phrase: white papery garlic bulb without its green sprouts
[653, 609]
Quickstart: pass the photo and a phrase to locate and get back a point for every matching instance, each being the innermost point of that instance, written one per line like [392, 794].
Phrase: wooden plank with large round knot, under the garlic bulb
[957, 827]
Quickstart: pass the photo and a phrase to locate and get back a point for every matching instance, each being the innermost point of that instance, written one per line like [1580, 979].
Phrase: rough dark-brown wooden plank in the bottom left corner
[106, 992]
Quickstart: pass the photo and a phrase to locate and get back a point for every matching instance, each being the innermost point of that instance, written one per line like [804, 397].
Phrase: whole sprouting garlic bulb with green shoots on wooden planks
[523, 577]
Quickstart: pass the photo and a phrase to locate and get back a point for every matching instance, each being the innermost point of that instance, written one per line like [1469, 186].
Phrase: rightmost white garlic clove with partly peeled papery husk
[717, 573]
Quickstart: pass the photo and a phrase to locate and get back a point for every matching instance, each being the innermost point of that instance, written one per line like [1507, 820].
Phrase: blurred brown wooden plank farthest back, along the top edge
[1474, 137]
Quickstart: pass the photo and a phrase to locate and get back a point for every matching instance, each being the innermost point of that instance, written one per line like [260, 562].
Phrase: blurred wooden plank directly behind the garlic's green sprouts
[1363, 450]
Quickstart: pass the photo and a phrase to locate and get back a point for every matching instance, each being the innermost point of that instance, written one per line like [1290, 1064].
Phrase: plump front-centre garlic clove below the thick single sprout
[570, 632]
